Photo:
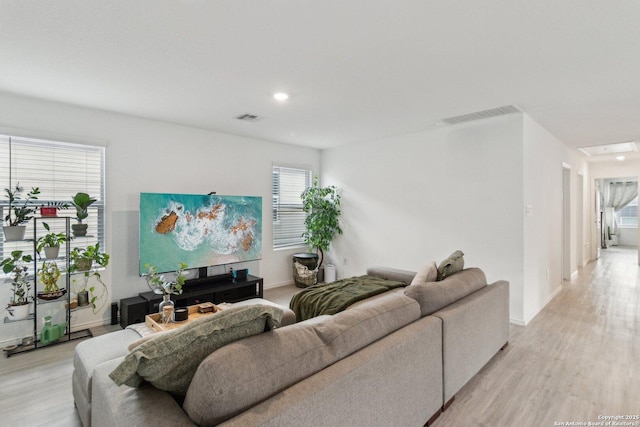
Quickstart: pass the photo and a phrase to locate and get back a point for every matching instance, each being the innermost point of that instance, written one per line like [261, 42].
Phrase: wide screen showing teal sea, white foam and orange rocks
[199, 230]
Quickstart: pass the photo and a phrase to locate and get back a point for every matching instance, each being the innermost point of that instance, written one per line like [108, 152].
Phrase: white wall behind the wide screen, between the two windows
[150, 156]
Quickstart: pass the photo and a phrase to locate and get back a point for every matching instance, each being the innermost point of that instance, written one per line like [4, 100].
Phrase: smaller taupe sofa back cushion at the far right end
[435, 295]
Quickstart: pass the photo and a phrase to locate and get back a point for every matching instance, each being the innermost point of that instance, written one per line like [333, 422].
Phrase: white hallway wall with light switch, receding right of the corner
[544, 156]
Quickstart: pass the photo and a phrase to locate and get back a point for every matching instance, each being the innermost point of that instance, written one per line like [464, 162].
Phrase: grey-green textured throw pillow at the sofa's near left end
[170, 360]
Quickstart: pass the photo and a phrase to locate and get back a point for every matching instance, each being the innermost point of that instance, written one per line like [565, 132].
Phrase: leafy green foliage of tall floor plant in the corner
[322, 206]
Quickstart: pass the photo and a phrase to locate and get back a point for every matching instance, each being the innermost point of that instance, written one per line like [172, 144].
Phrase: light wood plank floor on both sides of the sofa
[579, 358]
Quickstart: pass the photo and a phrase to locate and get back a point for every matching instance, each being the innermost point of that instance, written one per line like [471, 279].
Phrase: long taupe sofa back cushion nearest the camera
[224, 385]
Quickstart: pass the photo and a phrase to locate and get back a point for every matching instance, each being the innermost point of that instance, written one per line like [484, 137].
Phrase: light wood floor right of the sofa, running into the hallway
[577, 361]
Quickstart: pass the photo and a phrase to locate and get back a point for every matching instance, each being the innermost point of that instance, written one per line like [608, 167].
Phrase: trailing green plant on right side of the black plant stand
[88, 260]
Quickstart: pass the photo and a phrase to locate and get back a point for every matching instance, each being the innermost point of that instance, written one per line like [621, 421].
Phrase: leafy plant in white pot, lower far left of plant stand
[16, 265]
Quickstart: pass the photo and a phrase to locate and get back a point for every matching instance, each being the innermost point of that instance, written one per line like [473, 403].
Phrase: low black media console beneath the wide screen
[215, 289]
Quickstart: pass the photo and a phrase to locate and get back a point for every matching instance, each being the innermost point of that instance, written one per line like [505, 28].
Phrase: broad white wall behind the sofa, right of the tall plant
[411, 199]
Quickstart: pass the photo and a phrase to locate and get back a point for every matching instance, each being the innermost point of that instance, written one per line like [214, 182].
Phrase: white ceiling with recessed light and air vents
[356, 70]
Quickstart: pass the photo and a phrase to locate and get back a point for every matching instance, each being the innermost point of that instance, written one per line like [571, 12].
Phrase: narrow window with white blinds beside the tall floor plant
[288, 216]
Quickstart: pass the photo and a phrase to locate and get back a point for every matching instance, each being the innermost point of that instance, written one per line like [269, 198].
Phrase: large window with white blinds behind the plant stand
[59, 170]
